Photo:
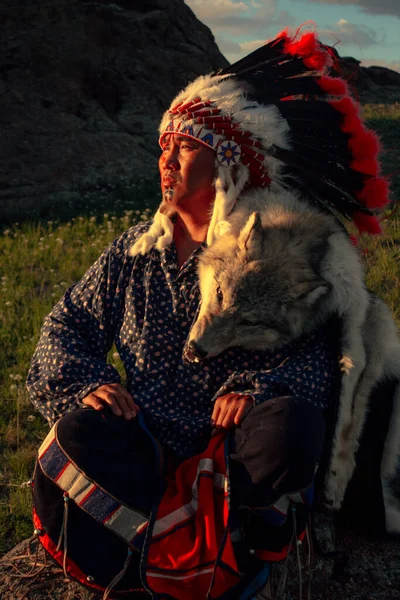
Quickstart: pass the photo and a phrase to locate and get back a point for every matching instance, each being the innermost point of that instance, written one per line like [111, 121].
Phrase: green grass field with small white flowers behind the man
[41, 259]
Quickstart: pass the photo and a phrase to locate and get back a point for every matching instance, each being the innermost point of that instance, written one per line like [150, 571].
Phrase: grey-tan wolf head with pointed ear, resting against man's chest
[261, 287]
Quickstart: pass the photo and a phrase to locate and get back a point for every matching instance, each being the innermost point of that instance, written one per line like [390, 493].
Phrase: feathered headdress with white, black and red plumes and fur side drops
[277, 119]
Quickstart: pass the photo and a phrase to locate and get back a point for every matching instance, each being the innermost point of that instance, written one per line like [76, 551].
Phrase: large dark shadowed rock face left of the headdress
[82, 88]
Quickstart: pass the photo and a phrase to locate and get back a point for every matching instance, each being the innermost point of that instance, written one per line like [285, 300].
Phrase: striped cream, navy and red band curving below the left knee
[99, 504]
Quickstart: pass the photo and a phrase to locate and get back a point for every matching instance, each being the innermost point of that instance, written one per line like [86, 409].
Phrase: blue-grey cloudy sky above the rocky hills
[368, 30]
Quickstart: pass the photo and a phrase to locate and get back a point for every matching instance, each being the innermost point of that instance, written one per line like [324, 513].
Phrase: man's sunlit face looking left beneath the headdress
[188, 169]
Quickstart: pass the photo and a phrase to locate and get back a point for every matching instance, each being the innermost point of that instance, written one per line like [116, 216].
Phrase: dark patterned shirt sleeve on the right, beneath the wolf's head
[309, 370]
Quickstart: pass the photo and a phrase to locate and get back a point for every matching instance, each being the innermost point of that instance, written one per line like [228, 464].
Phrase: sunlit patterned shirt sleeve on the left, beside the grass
[70, 360]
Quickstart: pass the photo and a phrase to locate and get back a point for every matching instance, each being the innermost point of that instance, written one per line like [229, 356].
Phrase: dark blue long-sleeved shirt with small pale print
[146, 305]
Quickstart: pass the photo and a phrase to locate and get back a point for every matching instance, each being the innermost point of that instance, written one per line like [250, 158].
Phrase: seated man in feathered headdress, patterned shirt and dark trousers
[180, 486]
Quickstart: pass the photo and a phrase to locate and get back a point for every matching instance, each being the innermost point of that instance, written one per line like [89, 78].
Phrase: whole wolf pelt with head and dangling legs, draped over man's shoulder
[281, 238]
